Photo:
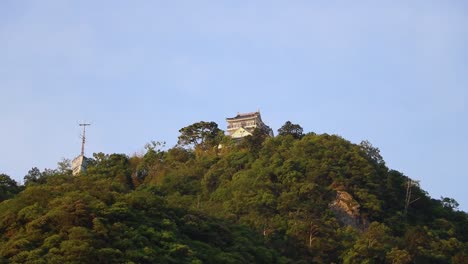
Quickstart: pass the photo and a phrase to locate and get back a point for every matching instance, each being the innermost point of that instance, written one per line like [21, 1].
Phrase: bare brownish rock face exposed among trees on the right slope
[346, 209]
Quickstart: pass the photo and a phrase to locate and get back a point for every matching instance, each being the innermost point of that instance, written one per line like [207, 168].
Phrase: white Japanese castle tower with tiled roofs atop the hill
[243, 125]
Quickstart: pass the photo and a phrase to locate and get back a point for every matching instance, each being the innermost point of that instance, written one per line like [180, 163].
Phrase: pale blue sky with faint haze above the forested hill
[391, 72]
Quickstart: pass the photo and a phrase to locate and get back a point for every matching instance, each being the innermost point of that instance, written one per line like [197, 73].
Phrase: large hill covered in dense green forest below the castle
[293, 198]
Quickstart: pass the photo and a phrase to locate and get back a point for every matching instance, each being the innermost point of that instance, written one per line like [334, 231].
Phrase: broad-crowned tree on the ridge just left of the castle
[204, 134]
